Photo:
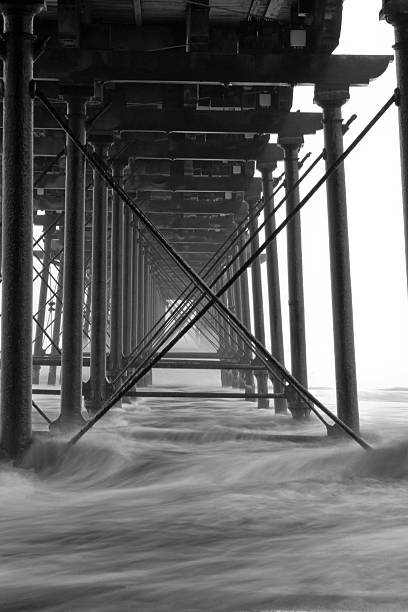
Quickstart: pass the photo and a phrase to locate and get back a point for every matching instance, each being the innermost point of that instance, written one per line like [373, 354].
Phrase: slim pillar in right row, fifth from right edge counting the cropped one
[257, 301]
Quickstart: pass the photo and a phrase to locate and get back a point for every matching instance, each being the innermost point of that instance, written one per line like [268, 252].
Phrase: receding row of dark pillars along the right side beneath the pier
[331, 102]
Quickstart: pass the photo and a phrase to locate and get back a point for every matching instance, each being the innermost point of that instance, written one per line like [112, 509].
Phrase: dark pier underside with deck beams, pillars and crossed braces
[140, 143]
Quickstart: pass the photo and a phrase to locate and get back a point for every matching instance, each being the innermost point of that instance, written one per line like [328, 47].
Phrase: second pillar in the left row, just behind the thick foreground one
[74, 243]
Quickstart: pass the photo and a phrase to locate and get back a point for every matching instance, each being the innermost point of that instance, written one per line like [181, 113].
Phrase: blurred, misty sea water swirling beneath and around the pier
[177, 505]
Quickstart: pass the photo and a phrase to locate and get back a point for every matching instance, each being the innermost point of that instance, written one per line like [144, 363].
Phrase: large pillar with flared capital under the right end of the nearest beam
[331, 102]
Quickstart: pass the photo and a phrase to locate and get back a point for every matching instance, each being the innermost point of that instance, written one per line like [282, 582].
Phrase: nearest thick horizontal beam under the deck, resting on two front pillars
[80, 66]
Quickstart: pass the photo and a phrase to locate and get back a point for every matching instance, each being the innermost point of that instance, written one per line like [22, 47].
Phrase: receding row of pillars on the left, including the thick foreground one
[132, 278]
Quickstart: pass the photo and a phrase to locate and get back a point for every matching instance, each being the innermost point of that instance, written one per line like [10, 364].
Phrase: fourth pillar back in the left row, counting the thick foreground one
[116, 352]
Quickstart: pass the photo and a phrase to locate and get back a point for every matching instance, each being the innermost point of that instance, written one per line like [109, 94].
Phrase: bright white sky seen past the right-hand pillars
[375, 225]
